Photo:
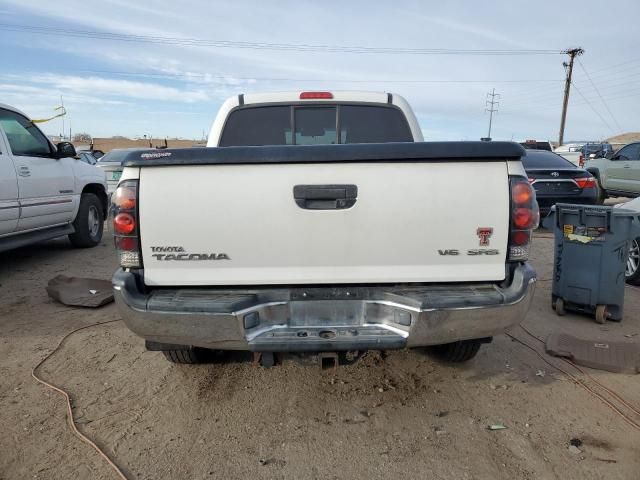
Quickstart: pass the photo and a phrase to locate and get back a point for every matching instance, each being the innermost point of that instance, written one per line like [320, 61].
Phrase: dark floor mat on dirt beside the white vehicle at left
[80, 292]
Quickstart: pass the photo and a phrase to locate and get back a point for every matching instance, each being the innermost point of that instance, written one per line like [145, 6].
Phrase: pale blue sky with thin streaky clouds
[166, 86]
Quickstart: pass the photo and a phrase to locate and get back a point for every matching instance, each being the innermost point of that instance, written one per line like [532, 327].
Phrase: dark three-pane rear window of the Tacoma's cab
[309, 124]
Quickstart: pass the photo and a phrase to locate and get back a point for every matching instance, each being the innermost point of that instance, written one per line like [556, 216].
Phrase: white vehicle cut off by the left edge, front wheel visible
[44, 191]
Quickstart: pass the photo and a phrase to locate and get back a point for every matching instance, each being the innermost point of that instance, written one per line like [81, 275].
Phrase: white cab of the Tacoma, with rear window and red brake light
[336, 117]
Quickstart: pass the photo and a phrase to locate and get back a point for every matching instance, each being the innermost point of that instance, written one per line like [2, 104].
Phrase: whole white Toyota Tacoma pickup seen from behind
[315, 223]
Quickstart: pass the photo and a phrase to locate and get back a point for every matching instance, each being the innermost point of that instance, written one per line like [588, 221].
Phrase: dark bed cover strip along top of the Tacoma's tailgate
[364, 152]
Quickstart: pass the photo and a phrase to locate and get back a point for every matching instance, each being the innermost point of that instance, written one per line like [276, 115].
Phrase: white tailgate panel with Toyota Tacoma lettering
[240, 224]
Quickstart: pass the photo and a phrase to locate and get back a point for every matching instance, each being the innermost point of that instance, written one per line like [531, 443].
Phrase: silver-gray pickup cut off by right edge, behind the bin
[619, 174]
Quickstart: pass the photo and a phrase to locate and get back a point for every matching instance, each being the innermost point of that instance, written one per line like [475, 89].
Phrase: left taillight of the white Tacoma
[124, 209]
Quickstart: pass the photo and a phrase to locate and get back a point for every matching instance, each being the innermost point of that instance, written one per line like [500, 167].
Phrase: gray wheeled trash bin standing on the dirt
[590, 254]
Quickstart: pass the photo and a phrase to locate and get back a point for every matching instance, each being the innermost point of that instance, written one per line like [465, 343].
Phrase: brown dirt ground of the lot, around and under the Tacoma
[398, 415]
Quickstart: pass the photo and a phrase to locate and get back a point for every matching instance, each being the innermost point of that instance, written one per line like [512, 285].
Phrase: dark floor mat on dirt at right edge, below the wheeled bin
[603, 355]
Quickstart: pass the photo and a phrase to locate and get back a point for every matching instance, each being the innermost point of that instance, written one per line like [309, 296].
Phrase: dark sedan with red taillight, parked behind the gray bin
[557, 180]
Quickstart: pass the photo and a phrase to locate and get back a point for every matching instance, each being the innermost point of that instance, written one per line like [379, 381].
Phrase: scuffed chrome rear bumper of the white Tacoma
[330, 318]
